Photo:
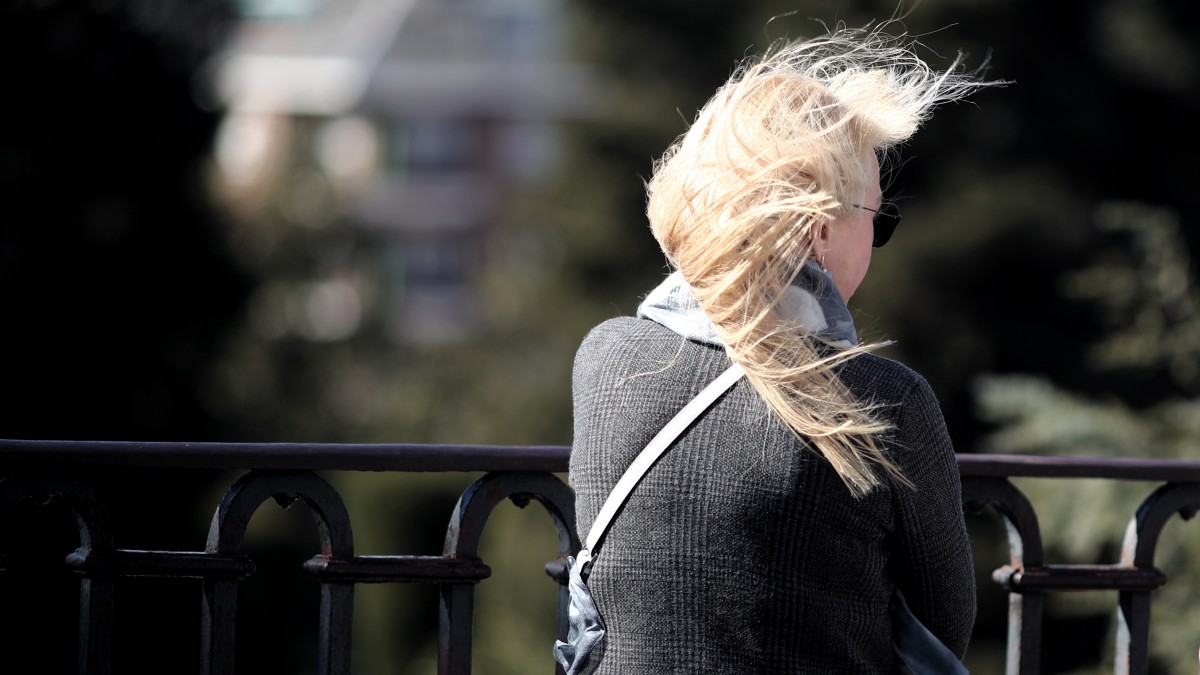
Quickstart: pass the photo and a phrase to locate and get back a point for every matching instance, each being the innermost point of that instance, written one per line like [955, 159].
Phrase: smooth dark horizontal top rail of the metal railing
[435, 458]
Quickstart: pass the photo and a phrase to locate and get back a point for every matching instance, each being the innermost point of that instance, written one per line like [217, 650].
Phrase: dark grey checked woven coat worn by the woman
[741, 551]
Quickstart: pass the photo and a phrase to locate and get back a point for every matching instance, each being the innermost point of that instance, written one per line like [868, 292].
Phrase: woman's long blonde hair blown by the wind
[737, 202]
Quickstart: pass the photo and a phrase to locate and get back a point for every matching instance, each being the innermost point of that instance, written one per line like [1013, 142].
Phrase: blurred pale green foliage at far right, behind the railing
[1144, 289]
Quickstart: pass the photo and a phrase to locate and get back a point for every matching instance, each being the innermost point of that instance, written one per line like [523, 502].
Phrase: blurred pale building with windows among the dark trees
[413, 122]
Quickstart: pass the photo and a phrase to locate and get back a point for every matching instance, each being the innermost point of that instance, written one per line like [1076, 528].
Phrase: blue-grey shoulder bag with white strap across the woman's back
[920, 652]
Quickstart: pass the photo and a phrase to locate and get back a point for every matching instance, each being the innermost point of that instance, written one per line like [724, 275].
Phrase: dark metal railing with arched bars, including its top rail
[47, 471]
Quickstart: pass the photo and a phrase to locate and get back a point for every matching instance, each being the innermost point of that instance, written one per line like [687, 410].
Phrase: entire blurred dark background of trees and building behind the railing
[394, 222]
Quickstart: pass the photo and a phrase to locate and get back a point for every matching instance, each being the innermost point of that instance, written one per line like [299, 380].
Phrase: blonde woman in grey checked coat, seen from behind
[776, 533]
